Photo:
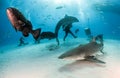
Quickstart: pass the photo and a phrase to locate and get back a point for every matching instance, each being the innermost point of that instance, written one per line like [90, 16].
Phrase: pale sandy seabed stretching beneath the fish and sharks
[37, 61]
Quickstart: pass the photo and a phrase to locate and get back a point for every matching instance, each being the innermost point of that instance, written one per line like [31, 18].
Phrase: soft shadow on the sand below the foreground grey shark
[79, 65]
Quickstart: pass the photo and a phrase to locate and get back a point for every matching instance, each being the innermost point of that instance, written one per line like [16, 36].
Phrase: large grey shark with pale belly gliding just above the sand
[86, 51]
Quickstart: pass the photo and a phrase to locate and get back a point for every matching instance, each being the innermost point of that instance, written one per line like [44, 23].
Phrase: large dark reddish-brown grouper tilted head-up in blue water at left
[20, 23]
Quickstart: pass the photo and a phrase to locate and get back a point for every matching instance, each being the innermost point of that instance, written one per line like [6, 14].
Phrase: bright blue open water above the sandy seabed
[46, 13]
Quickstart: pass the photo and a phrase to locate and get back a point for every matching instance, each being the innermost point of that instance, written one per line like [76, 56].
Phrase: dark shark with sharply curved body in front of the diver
[64, 21]
